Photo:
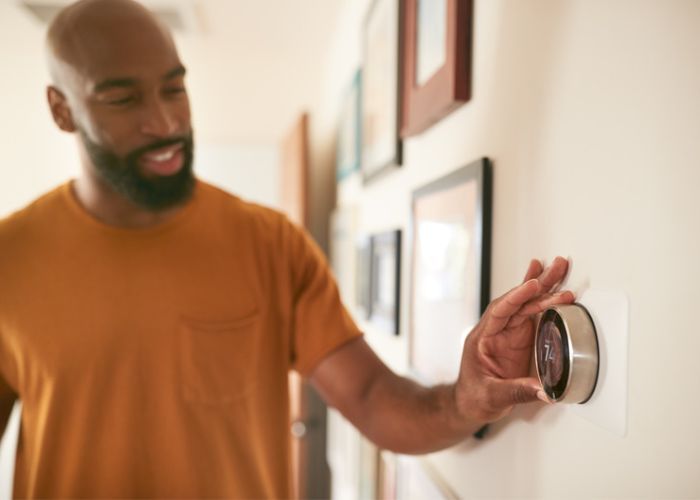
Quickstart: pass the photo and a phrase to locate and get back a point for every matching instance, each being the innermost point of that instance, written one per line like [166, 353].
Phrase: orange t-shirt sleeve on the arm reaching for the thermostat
[320, 322]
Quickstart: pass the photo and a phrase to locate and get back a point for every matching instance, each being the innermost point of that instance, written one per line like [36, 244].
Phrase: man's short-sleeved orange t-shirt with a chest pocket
[153, 362]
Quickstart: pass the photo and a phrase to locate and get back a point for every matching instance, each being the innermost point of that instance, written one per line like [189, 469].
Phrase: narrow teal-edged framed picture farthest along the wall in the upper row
[349, 131]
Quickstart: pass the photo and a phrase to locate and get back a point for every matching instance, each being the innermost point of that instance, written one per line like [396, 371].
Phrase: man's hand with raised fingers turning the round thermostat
[496, 358]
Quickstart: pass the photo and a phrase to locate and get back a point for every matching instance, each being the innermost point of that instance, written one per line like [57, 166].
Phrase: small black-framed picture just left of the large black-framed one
[385, 280]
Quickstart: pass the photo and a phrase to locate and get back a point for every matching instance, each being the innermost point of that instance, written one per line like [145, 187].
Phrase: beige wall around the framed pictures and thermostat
[590, 110]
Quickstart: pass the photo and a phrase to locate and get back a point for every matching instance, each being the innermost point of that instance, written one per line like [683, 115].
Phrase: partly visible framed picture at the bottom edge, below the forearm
[417, 479]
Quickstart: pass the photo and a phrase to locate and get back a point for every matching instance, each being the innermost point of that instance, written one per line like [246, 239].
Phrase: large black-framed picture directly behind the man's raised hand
[450, 267]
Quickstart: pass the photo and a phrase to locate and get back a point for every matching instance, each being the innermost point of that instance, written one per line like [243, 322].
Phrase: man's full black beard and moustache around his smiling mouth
[124, 176]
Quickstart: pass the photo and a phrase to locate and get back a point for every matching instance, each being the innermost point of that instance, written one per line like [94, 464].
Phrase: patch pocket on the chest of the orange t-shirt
[219, 360]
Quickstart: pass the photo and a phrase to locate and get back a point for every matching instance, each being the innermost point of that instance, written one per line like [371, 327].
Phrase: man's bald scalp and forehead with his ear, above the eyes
[93, 45]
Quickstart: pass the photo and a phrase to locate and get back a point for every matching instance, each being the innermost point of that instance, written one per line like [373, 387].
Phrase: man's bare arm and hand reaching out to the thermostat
[402, 416]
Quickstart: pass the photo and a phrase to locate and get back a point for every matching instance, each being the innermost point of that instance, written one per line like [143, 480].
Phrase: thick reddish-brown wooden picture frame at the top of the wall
[450, 86]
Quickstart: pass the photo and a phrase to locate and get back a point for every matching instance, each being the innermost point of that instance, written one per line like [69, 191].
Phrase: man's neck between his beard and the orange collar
[112, 208]
